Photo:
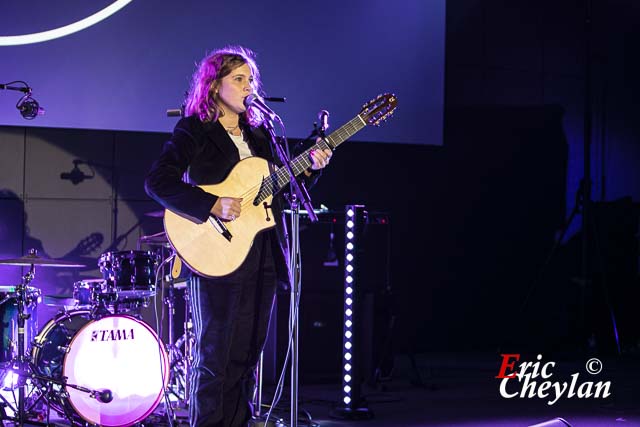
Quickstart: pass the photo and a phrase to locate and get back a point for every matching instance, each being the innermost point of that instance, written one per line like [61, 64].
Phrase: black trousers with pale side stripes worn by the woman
[231, 317]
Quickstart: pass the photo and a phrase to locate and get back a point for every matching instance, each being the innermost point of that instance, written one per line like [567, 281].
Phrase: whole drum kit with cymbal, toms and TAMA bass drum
[96, 361]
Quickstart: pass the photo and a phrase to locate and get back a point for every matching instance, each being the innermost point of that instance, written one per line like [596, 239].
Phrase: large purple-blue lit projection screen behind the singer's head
[125, 71]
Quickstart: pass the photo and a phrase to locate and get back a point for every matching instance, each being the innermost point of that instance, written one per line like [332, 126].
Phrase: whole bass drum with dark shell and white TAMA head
[117, 353]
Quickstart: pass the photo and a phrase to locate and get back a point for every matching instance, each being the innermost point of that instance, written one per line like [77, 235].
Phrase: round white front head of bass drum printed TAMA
[120, 354]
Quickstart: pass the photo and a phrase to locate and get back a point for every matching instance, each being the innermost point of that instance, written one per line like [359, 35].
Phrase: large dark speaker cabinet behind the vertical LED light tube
[321, 312]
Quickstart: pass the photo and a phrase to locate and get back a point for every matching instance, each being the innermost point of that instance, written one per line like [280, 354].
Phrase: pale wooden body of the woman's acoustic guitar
[201, 246]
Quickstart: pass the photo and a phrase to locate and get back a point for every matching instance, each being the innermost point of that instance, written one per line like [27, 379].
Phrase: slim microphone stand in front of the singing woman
[298, 195]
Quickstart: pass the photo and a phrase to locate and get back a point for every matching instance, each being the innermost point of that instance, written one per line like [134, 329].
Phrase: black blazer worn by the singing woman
[203, 153]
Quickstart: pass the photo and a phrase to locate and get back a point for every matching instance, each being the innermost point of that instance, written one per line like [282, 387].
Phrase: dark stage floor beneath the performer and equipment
[460, 389]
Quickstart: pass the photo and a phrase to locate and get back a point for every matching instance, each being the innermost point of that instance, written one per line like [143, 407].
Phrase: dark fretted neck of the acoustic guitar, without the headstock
[275, 182]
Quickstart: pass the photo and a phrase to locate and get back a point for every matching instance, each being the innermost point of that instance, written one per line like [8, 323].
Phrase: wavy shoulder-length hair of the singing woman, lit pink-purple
[207, 77]
